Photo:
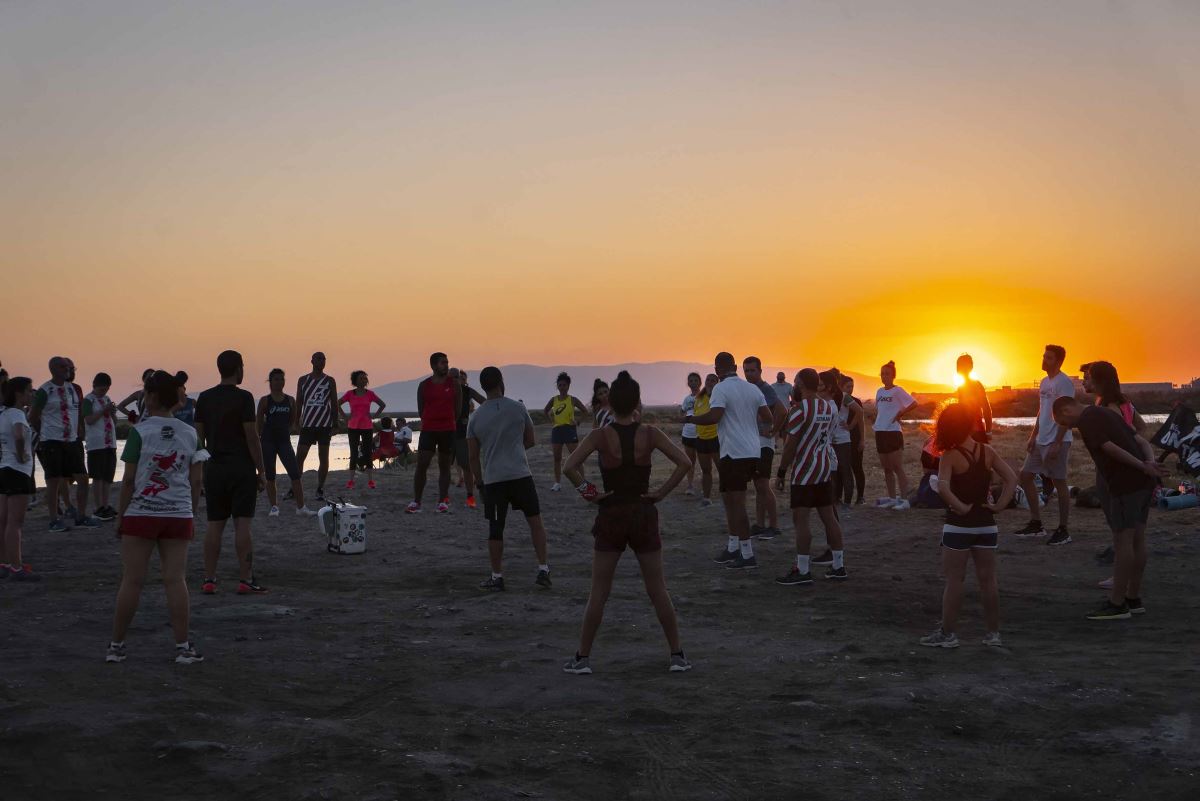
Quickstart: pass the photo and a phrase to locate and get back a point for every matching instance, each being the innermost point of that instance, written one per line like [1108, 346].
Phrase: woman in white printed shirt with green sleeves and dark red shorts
[159, 496]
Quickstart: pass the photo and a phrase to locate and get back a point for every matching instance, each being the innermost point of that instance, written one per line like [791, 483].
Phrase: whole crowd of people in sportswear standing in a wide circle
[225, 447]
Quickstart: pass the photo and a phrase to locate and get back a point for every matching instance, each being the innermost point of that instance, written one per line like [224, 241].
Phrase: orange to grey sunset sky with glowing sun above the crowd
[817, 183]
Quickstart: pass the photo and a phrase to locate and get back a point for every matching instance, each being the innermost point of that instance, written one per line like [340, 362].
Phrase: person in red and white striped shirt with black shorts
[809, 454]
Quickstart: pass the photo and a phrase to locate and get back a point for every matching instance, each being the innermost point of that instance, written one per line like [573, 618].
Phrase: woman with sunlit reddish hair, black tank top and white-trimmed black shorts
[964, 481]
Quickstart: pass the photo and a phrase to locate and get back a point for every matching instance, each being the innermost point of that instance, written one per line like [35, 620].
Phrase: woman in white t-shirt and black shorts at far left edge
[16, 477]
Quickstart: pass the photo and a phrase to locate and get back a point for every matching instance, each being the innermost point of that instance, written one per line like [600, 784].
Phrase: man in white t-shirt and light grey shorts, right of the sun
[1049, 450]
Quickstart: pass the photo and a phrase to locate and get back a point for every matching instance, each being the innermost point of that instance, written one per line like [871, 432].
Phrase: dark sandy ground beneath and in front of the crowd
[391, 676]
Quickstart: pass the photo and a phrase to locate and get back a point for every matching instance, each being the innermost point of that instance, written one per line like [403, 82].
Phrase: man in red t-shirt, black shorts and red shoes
[437, 403]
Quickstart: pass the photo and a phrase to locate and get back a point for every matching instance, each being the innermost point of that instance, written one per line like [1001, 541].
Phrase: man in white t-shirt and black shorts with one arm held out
[737, 408]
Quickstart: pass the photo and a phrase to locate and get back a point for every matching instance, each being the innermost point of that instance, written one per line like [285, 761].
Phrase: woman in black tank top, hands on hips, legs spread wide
[628, 516]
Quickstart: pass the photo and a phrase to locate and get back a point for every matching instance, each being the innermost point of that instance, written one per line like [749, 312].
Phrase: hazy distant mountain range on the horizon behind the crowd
[663, 383]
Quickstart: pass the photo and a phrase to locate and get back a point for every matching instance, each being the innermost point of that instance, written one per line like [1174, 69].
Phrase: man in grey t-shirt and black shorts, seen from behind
[499, 435]
